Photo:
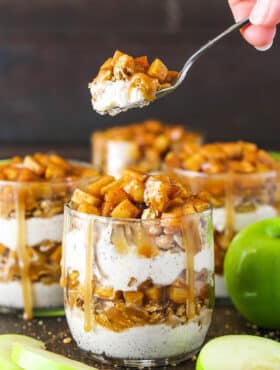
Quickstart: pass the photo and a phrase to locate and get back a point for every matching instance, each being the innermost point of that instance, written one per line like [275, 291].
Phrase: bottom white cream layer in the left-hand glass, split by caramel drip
[43, 296]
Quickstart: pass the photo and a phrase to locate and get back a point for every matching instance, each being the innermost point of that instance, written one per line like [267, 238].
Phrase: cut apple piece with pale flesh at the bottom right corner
[238, 352]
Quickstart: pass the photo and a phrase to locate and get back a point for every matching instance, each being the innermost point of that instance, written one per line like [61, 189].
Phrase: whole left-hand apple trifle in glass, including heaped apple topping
[33, 191]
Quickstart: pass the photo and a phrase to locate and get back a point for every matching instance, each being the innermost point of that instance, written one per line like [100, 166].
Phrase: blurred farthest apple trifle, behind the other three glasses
[142, 146]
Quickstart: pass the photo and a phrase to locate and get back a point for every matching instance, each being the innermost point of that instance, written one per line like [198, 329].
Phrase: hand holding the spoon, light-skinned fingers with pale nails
[264, 16]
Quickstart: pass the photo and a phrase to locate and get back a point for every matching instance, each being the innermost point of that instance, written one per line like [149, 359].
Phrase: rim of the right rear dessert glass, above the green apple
[193, 174]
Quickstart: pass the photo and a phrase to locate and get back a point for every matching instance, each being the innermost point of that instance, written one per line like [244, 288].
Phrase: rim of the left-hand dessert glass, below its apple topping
[67, 181]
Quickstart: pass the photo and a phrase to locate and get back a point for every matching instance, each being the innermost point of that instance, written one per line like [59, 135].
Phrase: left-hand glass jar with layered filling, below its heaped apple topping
[31, 227]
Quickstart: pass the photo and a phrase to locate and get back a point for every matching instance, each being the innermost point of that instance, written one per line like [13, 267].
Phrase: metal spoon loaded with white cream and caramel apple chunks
[124, 82]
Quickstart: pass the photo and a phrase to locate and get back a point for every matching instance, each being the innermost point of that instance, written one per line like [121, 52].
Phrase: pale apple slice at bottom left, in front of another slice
[31, 358]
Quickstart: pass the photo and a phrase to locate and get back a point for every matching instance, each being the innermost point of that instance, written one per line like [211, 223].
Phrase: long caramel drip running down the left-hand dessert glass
[23, 257]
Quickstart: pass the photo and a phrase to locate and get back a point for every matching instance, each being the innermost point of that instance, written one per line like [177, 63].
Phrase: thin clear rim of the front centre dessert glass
[89, 217]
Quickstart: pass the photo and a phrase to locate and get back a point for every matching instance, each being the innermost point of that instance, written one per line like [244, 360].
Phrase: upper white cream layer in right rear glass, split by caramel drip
[242, 219]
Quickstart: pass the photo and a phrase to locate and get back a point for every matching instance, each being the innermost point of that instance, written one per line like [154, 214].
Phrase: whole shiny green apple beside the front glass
[252, 273]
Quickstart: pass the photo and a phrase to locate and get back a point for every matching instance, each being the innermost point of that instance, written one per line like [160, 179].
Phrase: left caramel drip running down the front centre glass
[88, 276]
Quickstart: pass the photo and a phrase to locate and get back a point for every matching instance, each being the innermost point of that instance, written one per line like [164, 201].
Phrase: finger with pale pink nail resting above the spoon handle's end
[266, 13]
